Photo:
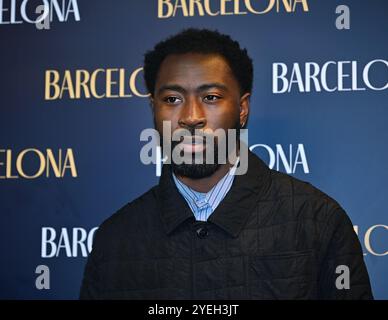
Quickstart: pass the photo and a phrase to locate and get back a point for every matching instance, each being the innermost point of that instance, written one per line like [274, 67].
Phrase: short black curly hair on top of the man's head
[203, 41]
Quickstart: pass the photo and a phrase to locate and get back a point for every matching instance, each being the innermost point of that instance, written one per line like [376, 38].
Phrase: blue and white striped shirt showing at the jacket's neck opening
[203, 204]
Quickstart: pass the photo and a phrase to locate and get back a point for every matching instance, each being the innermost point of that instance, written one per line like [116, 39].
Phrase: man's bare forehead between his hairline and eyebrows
[194, 69]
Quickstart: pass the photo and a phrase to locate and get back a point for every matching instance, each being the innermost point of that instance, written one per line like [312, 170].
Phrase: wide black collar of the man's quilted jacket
[234, 210]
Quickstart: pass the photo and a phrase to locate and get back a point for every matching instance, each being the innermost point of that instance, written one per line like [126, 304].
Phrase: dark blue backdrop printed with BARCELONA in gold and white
[73, 105]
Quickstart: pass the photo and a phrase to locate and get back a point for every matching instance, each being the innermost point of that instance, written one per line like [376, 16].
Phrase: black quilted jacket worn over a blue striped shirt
[272, 237]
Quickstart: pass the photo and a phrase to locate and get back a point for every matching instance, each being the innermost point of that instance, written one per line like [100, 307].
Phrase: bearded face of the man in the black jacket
[198, 91]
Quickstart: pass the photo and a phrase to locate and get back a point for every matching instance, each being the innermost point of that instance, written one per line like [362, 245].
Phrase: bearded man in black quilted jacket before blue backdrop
[205, 233]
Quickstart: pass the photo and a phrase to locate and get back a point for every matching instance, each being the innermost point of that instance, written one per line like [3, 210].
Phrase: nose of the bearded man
[192, 115]
